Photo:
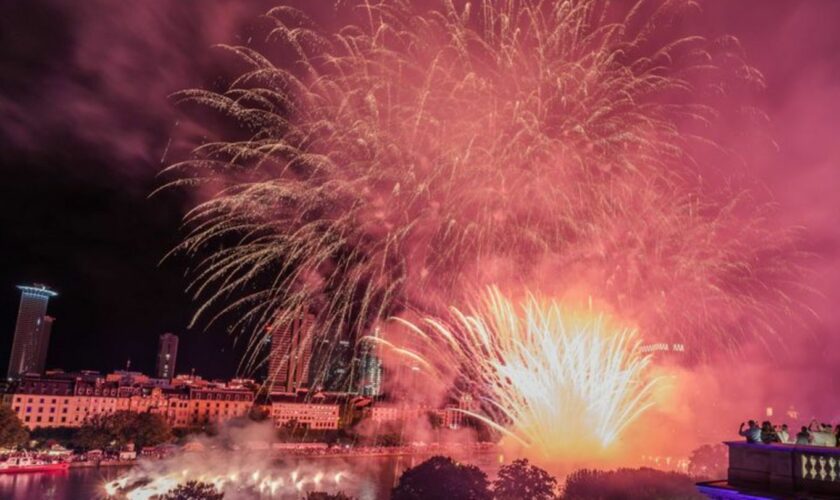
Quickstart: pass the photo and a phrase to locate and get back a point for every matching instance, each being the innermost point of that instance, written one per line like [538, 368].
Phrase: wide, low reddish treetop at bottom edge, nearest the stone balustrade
[629, 484]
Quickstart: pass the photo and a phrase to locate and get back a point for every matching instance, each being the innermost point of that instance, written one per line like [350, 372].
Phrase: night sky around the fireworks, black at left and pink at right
[85, 126]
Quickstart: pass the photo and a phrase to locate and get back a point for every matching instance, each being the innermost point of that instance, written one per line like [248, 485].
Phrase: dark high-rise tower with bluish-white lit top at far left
[32, 331]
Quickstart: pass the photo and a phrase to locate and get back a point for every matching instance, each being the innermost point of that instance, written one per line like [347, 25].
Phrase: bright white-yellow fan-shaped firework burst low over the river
[563, 384]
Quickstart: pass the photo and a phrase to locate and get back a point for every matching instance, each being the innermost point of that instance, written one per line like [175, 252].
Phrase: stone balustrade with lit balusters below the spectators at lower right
[778, 468]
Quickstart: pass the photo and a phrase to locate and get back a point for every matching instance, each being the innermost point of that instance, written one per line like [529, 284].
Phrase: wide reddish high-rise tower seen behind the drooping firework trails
[291, 353]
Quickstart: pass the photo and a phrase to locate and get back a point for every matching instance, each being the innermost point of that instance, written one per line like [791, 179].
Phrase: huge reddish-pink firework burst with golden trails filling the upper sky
[395, 162]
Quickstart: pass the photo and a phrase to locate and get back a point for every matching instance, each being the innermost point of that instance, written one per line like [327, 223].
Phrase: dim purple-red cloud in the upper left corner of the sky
[98, 74]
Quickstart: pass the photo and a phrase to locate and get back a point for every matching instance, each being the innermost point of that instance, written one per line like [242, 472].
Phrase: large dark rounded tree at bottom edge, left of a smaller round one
[442, 477]
